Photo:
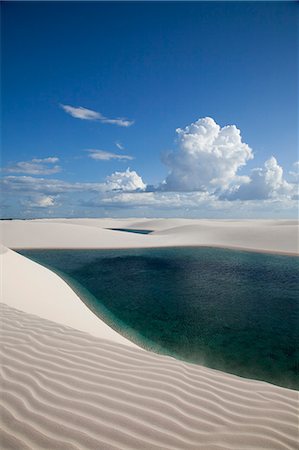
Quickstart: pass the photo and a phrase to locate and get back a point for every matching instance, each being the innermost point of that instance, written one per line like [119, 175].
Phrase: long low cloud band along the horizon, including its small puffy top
[125, 193]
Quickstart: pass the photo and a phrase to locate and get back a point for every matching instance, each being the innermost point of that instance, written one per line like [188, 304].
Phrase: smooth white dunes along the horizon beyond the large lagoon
[261, 235]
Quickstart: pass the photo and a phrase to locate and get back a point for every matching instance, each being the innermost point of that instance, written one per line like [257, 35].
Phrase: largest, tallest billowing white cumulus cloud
[207, 159]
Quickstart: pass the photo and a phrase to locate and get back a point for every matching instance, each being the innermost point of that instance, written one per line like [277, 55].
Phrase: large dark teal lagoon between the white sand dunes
[235, 311]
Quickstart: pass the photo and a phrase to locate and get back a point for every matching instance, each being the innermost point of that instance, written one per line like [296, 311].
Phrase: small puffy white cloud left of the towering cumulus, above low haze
[125, 181]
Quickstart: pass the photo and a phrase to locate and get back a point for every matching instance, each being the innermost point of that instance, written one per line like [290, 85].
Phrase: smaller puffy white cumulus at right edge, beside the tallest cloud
[265, 183]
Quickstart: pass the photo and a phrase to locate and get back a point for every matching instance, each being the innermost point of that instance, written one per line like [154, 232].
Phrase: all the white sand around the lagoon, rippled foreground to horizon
[68, 381]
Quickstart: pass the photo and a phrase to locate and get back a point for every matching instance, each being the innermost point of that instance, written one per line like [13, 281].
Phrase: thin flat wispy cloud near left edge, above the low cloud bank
[36, 166]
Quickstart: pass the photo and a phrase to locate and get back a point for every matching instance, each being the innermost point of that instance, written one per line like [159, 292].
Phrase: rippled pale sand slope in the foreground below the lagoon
[67, 390]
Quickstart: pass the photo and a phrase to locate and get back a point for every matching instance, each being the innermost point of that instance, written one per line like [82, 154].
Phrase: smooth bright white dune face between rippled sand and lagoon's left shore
[34, 289]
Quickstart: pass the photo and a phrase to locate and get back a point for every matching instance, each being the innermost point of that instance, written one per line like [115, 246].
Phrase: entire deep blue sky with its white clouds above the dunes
[139, 72]
